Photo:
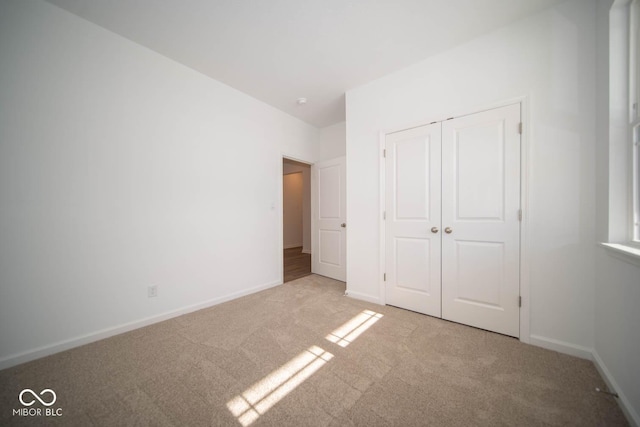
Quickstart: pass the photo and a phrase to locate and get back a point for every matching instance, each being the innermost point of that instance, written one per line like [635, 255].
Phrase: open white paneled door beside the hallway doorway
[328, 219]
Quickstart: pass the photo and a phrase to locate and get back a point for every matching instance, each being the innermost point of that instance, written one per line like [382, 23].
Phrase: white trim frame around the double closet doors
[525, 172]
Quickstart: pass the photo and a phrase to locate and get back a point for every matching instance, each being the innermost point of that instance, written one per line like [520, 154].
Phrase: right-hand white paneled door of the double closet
[480, 207]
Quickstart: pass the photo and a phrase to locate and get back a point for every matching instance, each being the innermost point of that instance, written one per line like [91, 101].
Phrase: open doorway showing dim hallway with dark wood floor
[296, 219]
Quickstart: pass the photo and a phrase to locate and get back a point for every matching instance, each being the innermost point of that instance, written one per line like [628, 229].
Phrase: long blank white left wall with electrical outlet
[119, 170]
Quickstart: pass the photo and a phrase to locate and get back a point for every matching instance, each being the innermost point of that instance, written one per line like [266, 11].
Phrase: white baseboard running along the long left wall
[37, 353]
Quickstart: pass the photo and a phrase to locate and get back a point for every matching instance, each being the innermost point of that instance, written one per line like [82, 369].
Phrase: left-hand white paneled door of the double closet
[412, 240]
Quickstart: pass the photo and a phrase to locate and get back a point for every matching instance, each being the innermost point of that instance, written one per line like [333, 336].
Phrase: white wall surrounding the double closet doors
[550, 60]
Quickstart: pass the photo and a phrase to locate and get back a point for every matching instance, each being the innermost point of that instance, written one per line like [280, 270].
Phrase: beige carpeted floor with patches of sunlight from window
[301, 354]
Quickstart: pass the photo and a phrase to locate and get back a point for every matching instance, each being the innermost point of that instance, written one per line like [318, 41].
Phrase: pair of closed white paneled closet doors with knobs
[452, 229]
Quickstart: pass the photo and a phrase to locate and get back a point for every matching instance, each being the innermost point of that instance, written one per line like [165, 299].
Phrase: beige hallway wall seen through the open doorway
[292, 191]
